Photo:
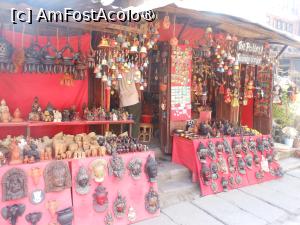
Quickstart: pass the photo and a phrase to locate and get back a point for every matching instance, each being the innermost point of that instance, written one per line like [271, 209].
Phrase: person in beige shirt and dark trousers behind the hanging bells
[130, 98]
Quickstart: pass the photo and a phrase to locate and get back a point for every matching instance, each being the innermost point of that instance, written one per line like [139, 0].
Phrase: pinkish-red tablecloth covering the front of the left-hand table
[133, 190]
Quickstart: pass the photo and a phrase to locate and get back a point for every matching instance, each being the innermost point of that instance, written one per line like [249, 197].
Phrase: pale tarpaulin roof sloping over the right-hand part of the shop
[219, 19]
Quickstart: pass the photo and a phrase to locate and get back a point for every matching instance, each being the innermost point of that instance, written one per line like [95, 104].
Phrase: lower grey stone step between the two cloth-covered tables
[173, 192]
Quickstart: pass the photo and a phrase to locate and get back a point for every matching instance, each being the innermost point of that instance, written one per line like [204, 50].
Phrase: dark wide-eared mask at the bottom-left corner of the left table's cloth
[12, 212]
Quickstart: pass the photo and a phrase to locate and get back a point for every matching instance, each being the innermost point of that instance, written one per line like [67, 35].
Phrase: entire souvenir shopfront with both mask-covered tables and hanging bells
[66, 151]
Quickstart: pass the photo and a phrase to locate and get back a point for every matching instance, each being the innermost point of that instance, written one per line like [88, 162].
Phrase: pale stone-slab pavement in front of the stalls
[272, 203]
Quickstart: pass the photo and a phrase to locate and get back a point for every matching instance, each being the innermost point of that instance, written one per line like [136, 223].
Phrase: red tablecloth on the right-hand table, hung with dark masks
[185, 153]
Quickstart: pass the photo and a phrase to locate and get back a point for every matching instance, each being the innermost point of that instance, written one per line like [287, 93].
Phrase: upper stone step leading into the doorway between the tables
[168, 171]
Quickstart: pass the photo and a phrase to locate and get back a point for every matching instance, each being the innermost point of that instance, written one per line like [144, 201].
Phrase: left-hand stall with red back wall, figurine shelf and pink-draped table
[66, 151]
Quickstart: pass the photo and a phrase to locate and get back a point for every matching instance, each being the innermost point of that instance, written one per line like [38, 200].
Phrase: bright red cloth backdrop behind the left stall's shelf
[19, 89]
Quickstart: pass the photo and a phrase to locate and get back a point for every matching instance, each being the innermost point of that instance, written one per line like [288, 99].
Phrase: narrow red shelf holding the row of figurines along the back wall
[30, 124]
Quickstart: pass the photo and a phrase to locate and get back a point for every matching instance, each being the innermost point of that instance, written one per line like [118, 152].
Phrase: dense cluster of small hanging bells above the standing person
[124, 53]
